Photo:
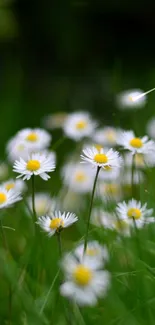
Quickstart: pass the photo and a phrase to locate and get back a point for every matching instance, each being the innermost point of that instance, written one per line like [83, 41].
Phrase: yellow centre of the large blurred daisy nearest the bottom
[82, 275]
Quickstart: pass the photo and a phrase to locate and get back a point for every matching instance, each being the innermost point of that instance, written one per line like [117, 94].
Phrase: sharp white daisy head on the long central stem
[102, 158]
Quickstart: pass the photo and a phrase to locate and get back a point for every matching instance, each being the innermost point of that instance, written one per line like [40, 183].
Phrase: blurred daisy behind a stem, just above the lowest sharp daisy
[43, 204]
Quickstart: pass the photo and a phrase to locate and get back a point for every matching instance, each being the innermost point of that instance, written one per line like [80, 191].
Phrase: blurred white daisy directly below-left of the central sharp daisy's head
[78, 177]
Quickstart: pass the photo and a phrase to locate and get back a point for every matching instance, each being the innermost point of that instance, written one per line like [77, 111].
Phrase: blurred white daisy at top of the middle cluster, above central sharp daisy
[79, 125]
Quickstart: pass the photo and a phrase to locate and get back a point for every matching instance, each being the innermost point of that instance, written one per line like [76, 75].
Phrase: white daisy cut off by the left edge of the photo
[8, 197]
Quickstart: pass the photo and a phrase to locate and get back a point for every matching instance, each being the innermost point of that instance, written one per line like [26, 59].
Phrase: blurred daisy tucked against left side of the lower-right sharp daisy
[107, 220]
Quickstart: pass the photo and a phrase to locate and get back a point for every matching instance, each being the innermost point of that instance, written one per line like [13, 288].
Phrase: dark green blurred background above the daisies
[69, 55]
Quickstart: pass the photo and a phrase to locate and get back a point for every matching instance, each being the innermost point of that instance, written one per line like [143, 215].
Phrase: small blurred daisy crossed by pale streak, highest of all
[126, 99]
